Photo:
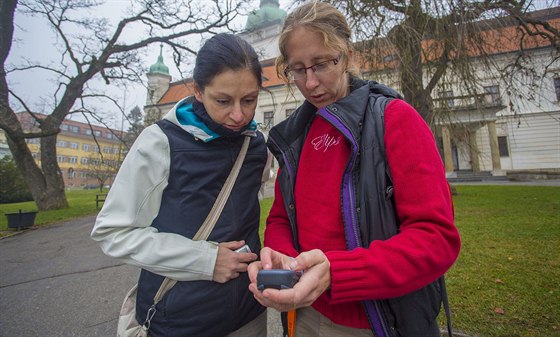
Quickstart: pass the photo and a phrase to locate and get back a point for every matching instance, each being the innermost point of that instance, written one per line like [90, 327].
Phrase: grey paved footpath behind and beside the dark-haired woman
[56, 282]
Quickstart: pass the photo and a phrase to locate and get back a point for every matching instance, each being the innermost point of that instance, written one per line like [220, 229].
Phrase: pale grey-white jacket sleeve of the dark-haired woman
[123, 226]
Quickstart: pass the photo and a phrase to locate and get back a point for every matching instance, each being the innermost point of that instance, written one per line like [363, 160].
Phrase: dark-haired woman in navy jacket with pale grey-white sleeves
[166, 187]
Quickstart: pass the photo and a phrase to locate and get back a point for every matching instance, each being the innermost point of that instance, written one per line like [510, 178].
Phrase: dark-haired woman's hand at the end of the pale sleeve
[230, 263]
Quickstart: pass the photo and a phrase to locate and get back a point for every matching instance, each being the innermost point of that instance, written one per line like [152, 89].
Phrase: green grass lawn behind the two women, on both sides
[506, 282]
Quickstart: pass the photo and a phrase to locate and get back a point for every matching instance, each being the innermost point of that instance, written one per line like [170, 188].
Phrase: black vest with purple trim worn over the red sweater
[362, 116]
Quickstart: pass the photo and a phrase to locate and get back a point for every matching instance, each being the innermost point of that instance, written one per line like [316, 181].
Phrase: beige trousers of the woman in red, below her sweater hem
[310, 323]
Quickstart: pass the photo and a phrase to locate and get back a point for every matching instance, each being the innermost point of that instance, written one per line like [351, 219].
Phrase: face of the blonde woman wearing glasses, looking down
[306, 49]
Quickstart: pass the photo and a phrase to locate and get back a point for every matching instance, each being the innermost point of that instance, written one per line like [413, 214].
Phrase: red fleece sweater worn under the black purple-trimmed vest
[428, 242]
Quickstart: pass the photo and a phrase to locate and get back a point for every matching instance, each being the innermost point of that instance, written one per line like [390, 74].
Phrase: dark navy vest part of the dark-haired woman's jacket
[197, 173]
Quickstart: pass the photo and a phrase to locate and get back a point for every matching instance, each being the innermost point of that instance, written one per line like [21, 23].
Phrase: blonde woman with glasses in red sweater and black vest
[361, 201]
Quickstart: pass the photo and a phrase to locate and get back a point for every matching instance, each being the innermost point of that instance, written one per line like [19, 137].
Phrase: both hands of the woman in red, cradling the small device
[314, 281]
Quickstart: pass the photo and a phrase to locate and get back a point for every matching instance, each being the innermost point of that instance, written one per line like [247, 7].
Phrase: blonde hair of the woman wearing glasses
[318, 17]
